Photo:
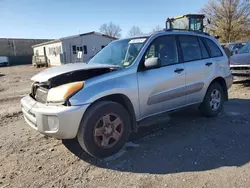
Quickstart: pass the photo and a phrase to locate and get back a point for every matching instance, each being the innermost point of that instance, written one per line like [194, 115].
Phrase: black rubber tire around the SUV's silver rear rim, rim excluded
[205, 107]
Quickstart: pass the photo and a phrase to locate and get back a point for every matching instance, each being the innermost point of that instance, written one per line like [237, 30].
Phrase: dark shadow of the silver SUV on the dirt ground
[188, 142]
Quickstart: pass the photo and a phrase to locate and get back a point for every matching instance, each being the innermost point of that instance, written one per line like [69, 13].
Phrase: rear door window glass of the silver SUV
[190, 48]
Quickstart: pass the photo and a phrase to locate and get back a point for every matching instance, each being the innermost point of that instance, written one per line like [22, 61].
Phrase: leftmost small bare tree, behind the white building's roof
[111, 30]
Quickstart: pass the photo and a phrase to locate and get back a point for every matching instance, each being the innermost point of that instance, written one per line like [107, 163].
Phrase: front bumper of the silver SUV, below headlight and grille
[57, 121]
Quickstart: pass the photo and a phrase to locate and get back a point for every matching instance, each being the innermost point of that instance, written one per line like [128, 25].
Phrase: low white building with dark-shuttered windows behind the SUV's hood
[77, 48]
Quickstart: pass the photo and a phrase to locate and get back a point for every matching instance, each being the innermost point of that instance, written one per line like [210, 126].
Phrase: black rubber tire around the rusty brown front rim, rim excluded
[86, 136]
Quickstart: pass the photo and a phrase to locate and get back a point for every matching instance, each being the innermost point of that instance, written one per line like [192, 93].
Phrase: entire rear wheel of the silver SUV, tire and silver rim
[213, 101]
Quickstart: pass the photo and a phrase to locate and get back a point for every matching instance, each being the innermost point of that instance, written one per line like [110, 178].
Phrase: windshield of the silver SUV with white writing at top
[121, 52]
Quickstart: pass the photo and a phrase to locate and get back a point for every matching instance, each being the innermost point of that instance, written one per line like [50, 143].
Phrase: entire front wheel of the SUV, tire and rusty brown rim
[104, 129]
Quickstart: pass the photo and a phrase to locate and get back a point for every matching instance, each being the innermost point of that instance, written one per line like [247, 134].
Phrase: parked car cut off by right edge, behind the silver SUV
[240, 62]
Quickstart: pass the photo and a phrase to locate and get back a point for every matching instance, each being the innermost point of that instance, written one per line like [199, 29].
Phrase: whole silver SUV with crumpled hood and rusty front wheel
[128, 83]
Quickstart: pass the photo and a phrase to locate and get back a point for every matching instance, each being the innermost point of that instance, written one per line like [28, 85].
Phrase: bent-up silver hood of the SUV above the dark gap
[56, 71]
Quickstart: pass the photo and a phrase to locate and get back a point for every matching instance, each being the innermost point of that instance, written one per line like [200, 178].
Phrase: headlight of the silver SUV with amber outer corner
[61, 93]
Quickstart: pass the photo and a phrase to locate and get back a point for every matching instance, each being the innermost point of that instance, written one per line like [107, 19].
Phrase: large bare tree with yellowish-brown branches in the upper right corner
[228, 18]
